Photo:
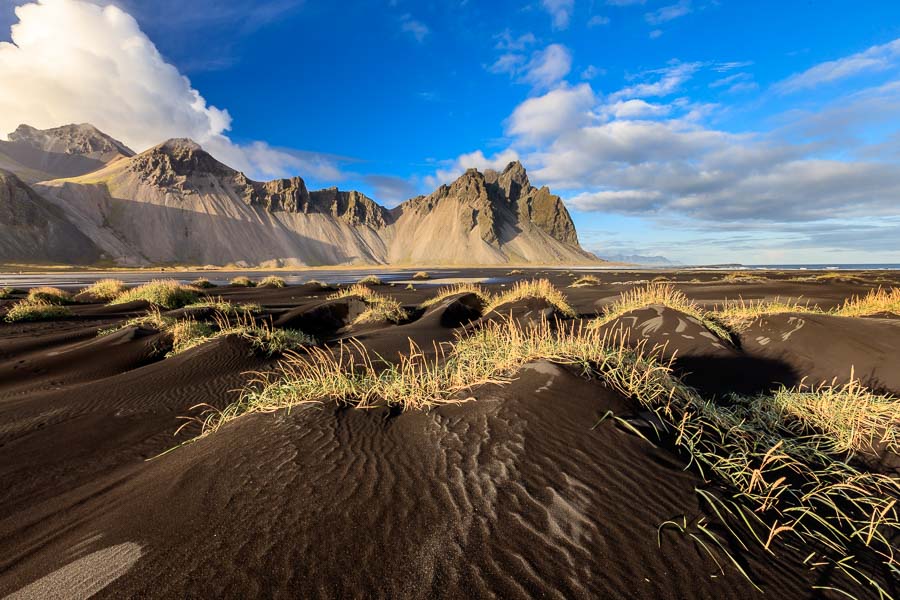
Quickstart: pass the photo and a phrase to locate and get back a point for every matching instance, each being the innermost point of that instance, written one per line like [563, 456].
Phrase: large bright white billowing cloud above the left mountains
[72, 61]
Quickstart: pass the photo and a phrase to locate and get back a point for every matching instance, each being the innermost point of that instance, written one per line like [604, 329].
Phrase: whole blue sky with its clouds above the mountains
[704, 131]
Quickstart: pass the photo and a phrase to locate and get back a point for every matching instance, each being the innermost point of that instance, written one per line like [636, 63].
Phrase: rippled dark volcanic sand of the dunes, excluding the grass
[516, 494]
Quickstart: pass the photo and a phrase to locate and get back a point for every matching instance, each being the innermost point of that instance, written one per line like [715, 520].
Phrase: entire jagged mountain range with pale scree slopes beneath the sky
[74, 194]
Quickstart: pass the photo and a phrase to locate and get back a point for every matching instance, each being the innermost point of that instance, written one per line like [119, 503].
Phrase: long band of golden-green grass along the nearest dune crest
[776, 469]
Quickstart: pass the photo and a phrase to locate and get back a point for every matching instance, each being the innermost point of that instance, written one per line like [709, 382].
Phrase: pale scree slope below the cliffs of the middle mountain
[209, 229]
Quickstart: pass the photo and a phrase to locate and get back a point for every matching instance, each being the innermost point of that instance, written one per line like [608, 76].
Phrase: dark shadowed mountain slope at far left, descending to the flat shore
[34, 231]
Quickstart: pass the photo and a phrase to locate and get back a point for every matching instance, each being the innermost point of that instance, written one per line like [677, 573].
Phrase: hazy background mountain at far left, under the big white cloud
[67, 151]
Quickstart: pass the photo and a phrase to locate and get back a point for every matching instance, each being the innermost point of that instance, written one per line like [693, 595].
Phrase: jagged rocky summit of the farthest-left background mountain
[82, 139]
